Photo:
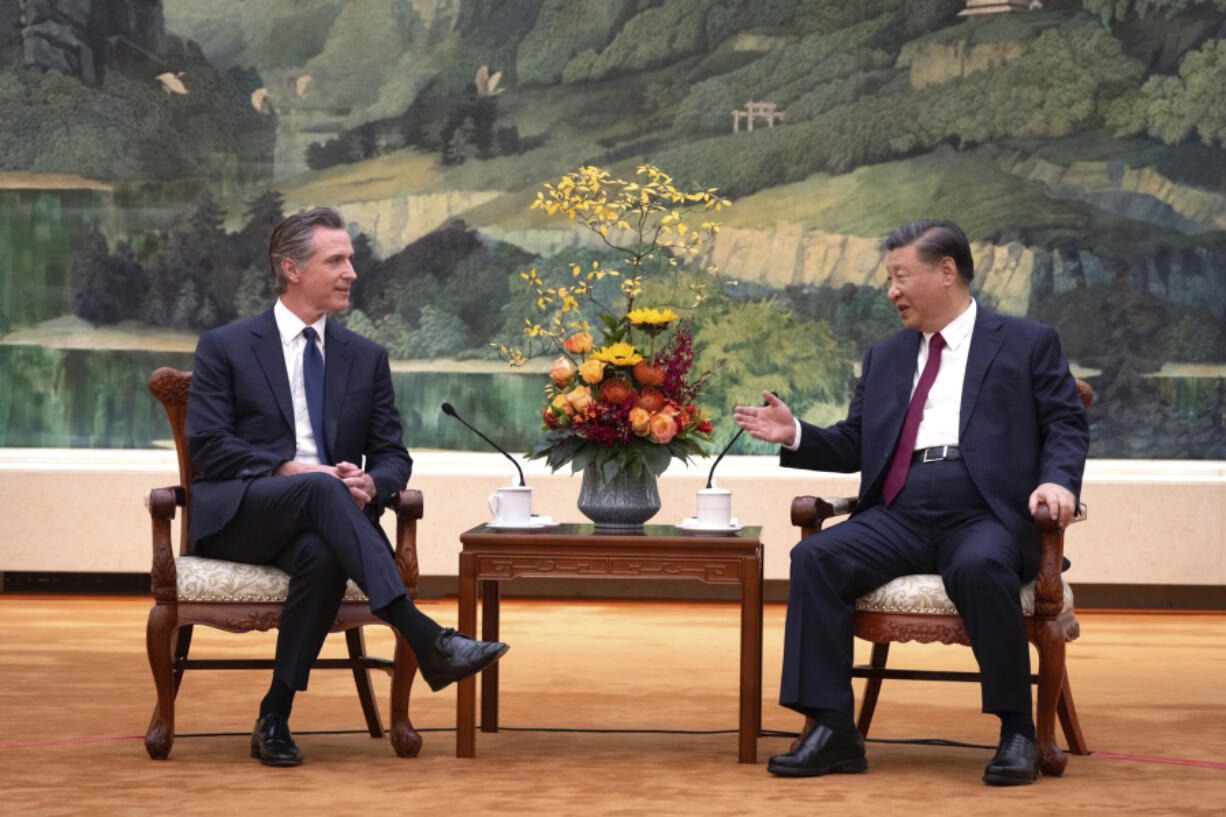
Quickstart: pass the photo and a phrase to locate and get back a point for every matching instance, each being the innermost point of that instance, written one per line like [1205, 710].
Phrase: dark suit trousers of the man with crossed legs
[310, 527]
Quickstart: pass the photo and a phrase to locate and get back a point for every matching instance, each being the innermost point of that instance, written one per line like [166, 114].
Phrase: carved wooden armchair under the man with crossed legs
[192, 591]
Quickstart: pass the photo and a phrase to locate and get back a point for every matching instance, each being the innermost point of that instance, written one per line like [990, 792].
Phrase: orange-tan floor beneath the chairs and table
[75, 697]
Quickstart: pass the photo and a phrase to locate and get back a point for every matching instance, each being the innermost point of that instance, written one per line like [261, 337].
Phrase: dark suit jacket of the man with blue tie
[241, 418]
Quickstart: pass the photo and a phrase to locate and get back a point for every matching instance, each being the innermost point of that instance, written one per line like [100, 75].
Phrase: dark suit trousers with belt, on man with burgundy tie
[939, 523]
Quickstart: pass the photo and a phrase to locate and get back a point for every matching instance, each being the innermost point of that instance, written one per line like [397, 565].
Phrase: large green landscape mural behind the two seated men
[149, 147]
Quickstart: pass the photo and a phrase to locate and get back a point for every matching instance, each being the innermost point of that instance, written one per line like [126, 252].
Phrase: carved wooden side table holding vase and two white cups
[576, 551]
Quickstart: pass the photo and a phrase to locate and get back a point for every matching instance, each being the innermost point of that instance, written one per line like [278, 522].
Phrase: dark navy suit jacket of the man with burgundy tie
[1022, 421]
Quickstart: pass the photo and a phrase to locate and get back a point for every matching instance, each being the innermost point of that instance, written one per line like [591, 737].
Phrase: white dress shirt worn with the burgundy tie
[943, 410]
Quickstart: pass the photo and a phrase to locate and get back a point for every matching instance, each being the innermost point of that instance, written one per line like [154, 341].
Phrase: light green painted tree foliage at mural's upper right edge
[1175, 109]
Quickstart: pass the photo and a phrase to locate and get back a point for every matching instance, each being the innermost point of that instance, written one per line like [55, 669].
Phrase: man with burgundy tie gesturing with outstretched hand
[963, 425]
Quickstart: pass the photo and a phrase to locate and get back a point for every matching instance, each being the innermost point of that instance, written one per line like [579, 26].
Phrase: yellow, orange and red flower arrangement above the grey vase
[631, 403]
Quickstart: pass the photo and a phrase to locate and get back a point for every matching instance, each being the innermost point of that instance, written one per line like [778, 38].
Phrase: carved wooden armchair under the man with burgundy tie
[916, 608]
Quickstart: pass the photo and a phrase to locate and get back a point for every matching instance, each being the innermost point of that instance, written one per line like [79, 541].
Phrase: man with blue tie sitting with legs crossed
[296, 439]
